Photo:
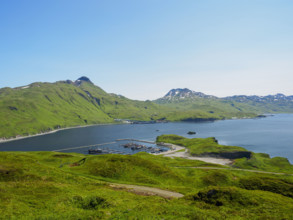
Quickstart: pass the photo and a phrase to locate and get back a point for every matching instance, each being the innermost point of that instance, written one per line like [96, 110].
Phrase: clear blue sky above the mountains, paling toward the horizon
[143, 48]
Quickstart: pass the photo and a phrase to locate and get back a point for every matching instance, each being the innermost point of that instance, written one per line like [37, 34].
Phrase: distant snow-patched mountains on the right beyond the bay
[188, 99]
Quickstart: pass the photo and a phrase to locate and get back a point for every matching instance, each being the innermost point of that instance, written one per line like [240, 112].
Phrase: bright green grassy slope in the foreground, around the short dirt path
[45, 185]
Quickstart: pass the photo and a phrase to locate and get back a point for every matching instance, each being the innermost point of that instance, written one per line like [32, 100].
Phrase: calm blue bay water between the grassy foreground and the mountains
[272, 135]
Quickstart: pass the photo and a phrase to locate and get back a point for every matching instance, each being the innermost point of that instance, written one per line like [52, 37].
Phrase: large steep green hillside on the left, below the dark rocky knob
[46, 106]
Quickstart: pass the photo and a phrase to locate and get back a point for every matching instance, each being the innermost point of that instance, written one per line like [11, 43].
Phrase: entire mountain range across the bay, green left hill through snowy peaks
[41, 107]
